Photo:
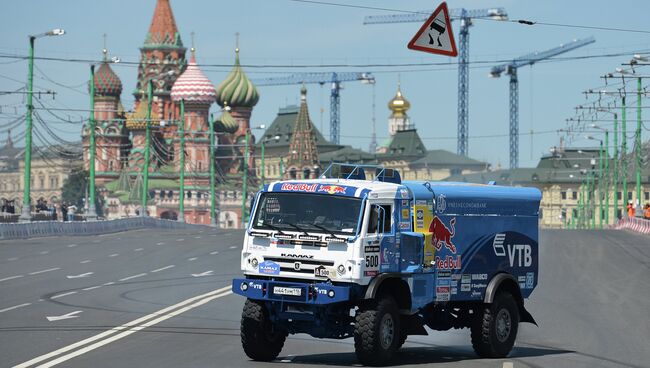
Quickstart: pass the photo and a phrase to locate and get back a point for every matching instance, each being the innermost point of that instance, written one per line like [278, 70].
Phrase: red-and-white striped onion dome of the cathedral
[193, 86]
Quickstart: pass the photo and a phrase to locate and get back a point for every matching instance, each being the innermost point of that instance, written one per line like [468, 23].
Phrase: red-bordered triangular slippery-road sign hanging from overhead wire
[435, 35]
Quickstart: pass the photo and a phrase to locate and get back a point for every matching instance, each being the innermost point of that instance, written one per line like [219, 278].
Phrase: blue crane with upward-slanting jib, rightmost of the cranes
[510, 69]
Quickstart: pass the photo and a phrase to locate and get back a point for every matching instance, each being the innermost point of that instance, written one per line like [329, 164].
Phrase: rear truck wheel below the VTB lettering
[495, 328]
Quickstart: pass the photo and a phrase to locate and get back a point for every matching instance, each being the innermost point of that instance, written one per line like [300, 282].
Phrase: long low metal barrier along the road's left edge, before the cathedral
[10, 231]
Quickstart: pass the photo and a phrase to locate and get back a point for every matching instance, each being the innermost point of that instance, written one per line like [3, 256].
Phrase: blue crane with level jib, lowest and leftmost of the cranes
[334, 79]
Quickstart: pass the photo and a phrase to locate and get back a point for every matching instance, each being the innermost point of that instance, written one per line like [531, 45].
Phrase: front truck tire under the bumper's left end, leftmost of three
[260, 340]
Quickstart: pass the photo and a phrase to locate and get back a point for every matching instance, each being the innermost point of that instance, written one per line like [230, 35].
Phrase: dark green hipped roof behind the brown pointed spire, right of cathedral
[278, 136]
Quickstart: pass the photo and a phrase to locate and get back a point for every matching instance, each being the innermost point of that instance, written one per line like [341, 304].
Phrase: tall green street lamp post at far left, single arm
[26, 213]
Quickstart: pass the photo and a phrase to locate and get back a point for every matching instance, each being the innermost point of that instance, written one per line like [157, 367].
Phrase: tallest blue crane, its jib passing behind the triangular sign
[465, 17]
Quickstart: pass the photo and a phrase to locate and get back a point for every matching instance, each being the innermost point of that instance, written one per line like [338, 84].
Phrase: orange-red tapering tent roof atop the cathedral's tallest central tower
[163, 31]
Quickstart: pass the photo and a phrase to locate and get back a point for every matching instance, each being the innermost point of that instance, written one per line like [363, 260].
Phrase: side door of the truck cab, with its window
[380, 248]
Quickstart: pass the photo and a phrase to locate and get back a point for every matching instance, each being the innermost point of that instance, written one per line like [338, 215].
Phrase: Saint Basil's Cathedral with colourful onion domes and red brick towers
[120, 135]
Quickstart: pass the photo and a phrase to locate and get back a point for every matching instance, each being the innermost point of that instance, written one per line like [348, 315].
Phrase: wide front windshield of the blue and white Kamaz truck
[309, 212]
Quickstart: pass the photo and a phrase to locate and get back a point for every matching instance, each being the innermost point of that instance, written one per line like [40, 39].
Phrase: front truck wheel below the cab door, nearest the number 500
[377, 331]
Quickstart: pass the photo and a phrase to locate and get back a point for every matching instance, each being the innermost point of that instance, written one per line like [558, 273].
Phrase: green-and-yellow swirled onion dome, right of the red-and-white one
[237, 90]
